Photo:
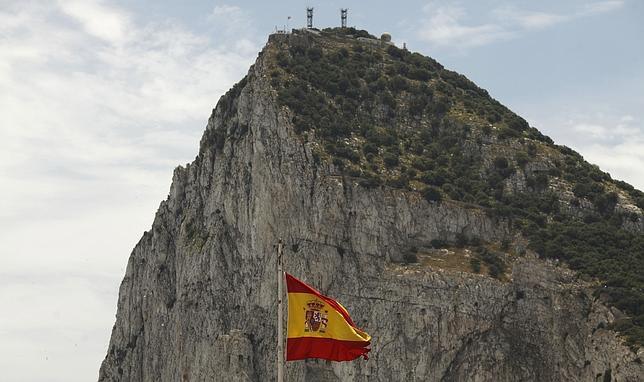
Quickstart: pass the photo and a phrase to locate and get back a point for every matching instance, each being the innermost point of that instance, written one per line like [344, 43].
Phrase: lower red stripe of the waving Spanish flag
[325, 348]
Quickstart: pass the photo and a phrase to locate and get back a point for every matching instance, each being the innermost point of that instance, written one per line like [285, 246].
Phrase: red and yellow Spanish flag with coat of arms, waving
[319, 327]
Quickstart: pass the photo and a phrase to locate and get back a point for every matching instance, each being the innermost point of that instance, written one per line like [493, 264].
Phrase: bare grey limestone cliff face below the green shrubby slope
[198, 300]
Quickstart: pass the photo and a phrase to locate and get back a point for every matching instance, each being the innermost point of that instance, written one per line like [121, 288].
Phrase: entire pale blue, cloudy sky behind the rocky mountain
[101, 100]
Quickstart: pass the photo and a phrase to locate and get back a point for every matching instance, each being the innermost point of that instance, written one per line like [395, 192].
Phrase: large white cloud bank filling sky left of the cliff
[97, 110]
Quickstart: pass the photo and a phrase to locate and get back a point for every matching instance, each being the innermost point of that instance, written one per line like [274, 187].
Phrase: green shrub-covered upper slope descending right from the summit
[392, 118]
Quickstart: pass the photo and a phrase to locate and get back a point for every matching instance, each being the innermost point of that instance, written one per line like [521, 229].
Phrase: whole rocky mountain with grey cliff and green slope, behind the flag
[468, 244]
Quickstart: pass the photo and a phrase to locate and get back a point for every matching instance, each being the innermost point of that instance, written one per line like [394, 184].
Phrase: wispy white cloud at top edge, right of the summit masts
[446, 24]
